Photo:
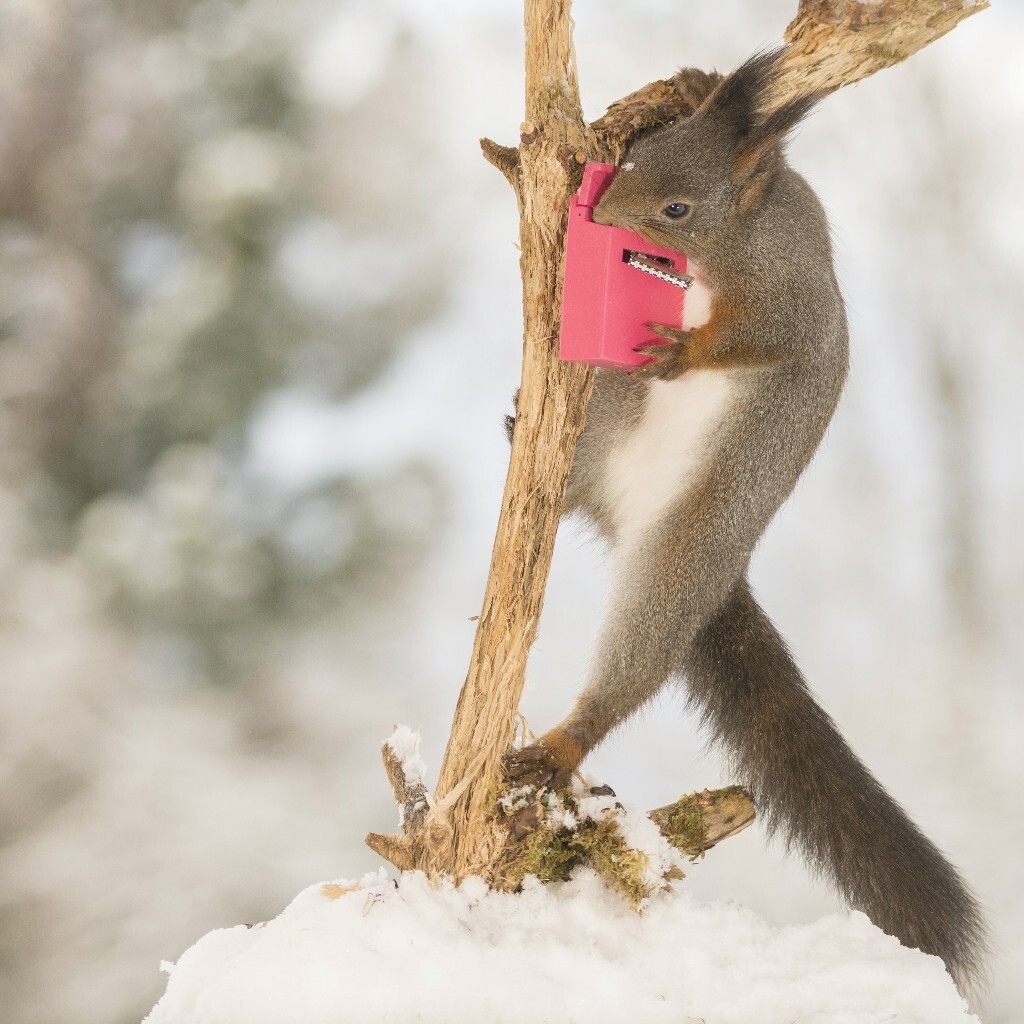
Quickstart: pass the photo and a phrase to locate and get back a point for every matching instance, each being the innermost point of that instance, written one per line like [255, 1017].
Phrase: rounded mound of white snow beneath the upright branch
[374, 951]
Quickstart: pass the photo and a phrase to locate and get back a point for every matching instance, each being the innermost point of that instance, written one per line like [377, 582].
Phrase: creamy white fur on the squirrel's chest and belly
[658, 461]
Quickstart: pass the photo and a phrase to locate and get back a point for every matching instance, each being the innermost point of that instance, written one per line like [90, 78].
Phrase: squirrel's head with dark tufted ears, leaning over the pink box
[690, 187]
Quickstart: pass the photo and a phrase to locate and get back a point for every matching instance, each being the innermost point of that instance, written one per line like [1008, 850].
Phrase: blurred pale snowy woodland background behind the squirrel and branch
[259, 327]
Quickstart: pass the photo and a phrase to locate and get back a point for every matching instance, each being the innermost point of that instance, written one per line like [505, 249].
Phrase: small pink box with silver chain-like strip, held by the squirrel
[616, 284]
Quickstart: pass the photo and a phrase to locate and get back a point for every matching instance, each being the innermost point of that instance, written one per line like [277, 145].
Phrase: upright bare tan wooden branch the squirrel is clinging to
[552, 405]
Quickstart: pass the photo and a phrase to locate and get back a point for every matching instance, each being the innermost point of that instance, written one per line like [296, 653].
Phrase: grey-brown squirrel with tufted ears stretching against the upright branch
[681, 467]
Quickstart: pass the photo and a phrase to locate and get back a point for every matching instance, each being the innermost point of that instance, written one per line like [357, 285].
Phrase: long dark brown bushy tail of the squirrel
[812, 788]
